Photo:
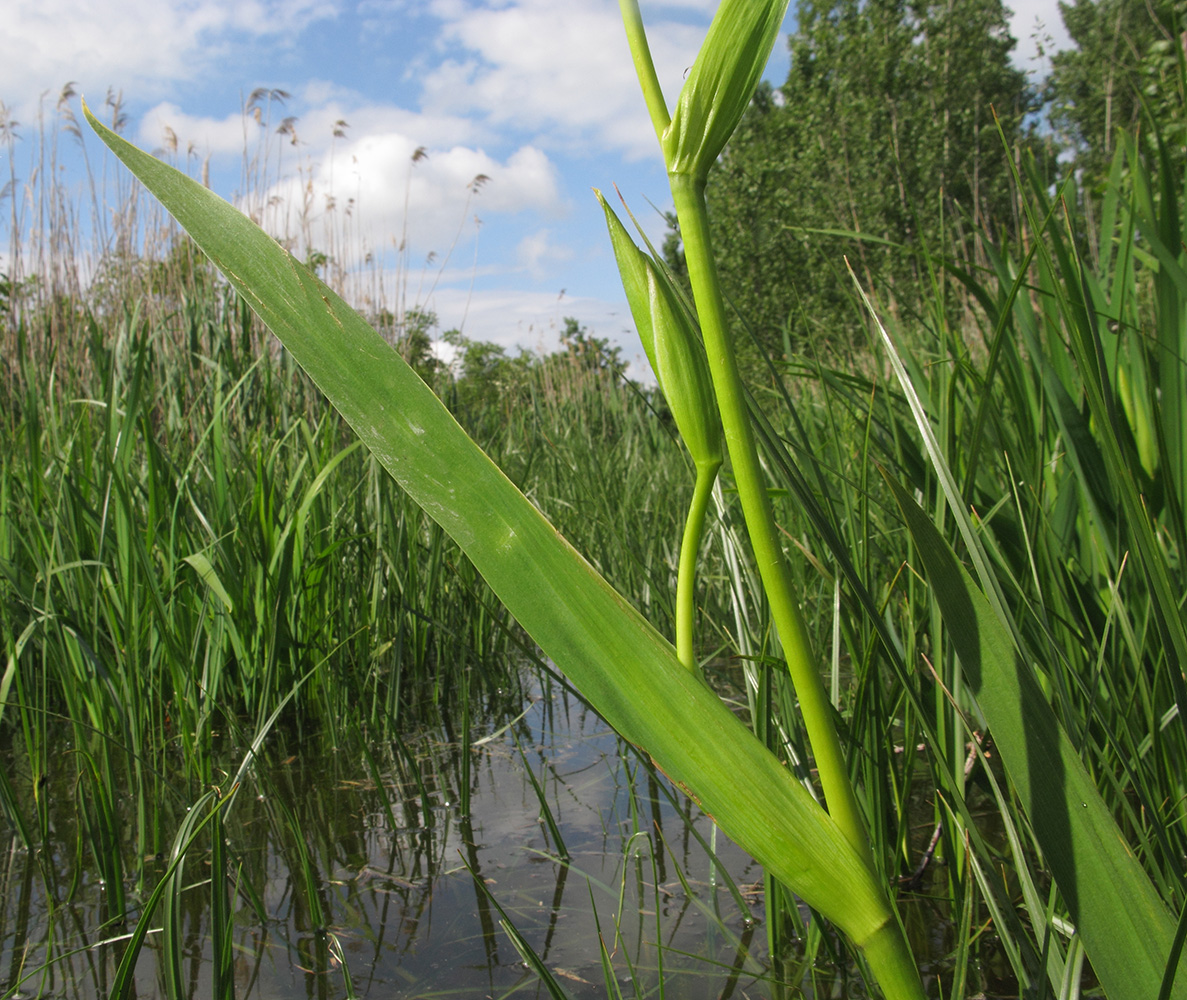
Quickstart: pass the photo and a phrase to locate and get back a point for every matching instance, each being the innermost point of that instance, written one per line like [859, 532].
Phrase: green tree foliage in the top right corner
[1128, 53]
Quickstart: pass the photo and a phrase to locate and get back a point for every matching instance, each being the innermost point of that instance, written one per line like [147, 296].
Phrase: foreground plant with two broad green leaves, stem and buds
[627, 670]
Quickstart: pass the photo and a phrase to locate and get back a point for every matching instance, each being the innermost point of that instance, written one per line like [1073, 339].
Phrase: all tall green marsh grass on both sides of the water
[191, 539]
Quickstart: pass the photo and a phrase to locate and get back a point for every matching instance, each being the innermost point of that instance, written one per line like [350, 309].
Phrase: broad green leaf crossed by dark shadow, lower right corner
[1126, 928]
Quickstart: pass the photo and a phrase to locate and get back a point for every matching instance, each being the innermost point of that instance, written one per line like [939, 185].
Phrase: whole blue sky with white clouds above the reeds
[469, 132]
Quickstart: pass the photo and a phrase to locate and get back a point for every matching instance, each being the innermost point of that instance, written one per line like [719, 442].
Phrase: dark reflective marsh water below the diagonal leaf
[364, 871]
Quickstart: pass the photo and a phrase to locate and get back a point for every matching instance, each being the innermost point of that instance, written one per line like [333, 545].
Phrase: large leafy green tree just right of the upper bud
[885, 131]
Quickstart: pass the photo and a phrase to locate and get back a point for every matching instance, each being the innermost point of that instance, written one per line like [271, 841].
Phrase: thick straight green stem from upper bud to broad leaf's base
[689, 195]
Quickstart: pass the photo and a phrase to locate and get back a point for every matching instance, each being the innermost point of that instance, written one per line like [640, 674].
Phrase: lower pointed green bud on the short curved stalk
[672, 344]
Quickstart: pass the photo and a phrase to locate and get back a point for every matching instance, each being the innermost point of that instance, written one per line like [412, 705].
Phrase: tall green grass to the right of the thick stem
[1050, 422]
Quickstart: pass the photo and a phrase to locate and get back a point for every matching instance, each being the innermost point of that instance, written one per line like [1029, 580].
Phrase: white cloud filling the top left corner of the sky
[135, 45]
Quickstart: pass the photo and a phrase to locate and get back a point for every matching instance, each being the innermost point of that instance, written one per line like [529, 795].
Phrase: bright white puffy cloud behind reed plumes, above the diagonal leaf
[358, 159]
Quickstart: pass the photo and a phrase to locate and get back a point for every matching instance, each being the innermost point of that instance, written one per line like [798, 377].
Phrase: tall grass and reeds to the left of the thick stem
[196, 553]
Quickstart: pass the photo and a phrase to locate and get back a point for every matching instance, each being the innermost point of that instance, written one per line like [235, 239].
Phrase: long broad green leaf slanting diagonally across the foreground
[620, 663]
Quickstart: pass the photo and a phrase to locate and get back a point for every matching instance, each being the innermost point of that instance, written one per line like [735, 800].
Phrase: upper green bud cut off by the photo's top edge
[721, 84]
